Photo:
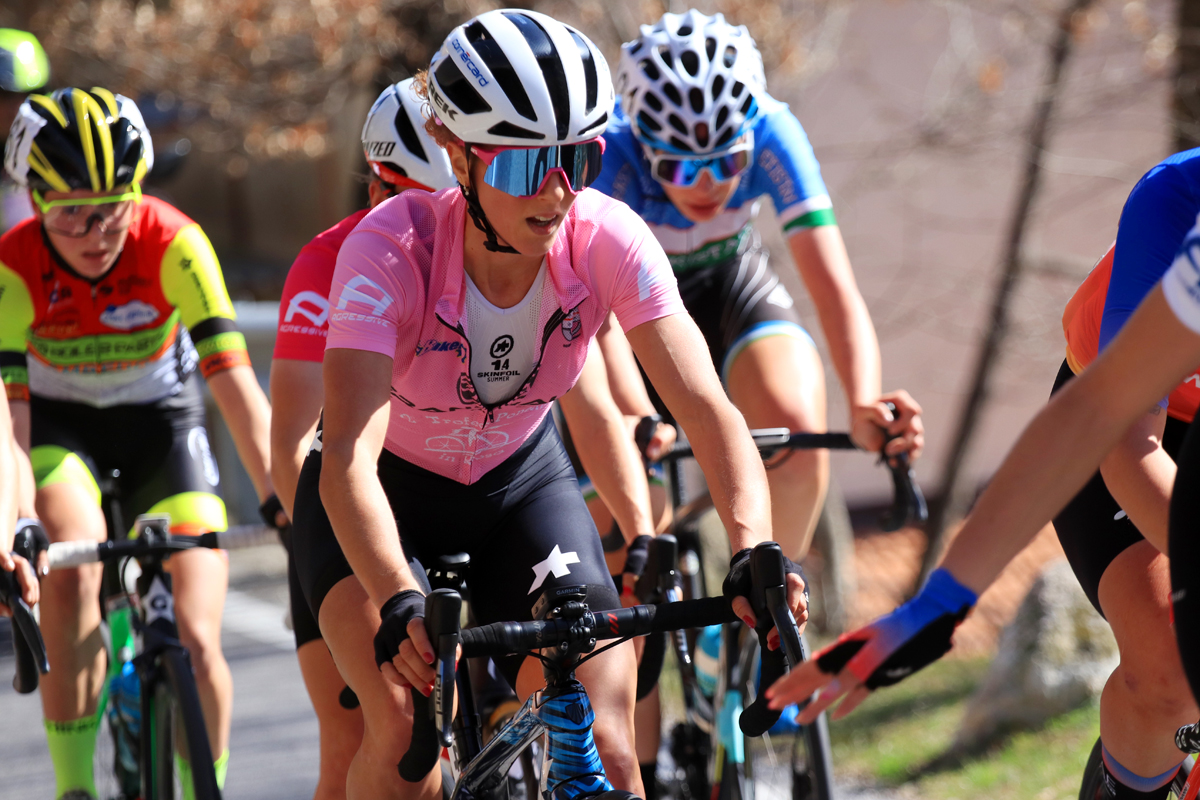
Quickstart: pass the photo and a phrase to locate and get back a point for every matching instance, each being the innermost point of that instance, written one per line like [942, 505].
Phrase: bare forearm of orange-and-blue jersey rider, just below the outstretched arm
[1141, 474]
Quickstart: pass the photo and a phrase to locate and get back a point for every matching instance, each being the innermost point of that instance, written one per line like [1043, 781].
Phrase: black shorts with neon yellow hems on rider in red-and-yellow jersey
[161, 450]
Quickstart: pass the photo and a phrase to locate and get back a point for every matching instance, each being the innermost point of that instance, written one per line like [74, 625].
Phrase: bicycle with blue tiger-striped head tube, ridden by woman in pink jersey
[566, 635]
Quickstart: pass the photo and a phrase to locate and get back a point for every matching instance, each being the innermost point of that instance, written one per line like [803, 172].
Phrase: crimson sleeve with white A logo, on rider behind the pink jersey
[304, 309]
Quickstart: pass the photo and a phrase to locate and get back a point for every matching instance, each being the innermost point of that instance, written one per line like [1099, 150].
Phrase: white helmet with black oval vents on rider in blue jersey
[691, 83]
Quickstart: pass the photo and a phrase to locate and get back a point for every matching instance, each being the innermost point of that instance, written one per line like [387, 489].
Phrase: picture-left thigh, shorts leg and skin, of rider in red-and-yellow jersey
[65, 472]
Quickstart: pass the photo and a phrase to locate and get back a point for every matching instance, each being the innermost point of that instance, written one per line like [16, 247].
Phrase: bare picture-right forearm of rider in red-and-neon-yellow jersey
[248, 416]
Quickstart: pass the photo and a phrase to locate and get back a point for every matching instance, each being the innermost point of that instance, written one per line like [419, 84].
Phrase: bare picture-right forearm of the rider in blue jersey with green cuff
[854, 348]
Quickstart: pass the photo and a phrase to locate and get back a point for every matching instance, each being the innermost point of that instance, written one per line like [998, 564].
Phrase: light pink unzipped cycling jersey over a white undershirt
[400, 292]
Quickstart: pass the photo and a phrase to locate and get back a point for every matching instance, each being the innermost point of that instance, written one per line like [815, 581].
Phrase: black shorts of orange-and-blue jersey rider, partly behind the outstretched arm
[1093, 528]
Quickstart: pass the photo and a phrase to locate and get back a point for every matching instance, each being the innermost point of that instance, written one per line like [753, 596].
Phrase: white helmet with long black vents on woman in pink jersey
[520, 79]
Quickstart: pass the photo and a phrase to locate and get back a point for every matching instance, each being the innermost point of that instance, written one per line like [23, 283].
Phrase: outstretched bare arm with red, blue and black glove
[1057, 455]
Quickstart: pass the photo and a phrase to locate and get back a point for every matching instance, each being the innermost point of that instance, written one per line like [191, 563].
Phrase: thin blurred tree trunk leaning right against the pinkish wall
[956, 492]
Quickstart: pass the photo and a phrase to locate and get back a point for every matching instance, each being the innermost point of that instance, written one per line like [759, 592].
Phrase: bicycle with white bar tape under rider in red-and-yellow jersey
[170, 718]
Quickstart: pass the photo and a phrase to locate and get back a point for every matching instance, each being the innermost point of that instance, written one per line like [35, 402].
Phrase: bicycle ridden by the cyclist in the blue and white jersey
[716, 759]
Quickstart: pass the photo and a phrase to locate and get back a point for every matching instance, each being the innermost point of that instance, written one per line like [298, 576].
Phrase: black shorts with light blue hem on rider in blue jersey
[739, 303]
